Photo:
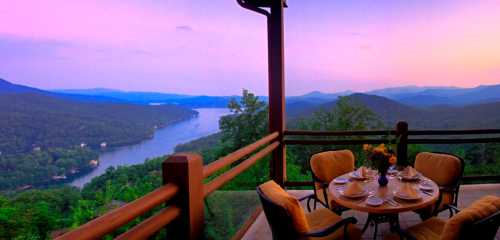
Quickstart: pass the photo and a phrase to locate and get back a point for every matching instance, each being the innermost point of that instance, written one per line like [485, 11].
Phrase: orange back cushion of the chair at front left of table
[279, 196]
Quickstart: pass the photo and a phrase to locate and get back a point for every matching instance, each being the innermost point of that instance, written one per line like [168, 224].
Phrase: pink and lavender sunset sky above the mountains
[217, 48]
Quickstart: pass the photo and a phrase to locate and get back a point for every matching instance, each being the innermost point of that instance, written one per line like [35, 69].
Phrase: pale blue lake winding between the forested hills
[163, 142]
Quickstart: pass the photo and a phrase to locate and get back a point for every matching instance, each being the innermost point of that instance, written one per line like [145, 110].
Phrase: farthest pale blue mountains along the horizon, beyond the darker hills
[410, 95]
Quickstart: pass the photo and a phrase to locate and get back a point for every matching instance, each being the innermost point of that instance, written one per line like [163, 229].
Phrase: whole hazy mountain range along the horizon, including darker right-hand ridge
[422, 107]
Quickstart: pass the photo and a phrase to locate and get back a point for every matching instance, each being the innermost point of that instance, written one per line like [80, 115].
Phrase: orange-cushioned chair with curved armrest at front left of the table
[288, 220]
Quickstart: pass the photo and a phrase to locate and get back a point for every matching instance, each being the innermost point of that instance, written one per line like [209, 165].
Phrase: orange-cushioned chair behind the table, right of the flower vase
[447, 171]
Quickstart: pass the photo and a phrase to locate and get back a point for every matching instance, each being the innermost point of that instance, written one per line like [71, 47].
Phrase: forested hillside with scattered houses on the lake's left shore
[45, 139]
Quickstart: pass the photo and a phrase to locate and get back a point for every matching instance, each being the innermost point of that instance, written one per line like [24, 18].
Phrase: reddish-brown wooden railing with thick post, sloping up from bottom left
[183, 192]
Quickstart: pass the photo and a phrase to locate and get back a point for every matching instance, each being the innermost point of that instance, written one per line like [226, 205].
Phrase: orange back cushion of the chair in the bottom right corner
[478, 210]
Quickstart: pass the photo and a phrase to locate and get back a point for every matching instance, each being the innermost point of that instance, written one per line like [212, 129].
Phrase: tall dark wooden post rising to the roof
[277, 88]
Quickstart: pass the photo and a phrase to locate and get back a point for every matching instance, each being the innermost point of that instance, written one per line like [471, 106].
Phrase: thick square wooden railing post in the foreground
[186, 171]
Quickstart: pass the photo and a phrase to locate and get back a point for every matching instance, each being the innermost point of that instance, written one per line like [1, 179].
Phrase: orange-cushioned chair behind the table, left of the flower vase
[325, 166]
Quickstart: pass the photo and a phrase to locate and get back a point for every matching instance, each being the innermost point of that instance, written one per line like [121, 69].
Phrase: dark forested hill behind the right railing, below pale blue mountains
[436, 117]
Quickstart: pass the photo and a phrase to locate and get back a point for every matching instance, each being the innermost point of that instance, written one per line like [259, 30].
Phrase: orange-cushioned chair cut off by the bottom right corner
[478, 221]
